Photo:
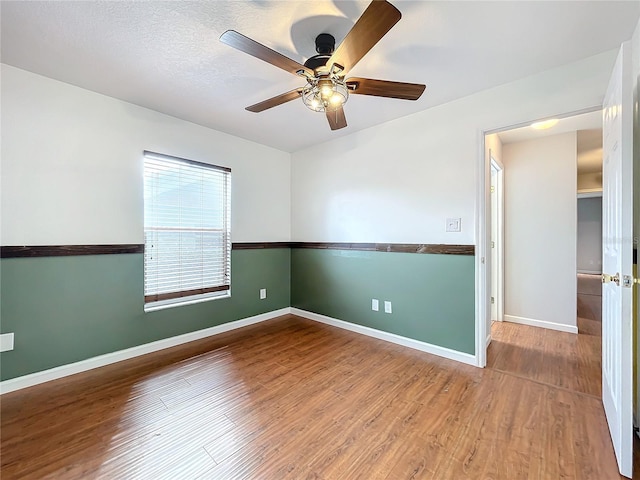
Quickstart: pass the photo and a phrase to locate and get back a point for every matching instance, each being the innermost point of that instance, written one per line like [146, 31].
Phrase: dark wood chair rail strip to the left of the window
[21, 251]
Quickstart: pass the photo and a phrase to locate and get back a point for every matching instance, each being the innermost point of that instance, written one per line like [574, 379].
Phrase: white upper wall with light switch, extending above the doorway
[399, 181]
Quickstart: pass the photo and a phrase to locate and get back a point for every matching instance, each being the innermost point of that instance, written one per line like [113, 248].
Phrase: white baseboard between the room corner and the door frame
[389, 337]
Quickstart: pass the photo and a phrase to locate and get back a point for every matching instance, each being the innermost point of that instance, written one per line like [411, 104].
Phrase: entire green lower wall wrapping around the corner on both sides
[66, 309]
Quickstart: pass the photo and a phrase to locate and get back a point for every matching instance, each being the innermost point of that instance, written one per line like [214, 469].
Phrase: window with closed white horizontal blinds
[187, 233]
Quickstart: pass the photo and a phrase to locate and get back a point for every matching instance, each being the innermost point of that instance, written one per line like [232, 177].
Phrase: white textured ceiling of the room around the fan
[166, 55]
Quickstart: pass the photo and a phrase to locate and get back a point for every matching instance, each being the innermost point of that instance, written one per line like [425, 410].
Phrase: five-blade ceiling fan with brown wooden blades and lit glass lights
[326, 89]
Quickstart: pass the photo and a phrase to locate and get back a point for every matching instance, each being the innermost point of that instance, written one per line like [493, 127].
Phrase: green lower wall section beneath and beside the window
[67, 309]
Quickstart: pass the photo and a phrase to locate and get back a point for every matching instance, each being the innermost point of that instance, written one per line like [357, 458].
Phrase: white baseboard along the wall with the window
[108, 358]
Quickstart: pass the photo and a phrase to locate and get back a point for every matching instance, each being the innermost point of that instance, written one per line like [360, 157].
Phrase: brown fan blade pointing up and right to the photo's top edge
[374, 23]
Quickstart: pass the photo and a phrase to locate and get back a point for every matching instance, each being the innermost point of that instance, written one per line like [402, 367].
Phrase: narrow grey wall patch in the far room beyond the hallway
[589, 245]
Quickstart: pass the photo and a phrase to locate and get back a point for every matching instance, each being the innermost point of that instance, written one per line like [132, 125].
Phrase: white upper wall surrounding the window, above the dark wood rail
[72, 167]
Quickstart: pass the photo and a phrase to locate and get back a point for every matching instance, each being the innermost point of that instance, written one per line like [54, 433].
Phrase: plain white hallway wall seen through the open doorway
[540, 230]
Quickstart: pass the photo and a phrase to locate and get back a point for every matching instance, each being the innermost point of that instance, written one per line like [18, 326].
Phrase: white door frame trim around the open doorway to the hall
[483, 230]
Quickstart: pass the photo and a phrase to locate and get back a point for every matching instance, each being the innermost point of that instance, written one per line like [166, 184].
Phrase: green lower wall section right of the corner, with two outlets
[432, 295]
